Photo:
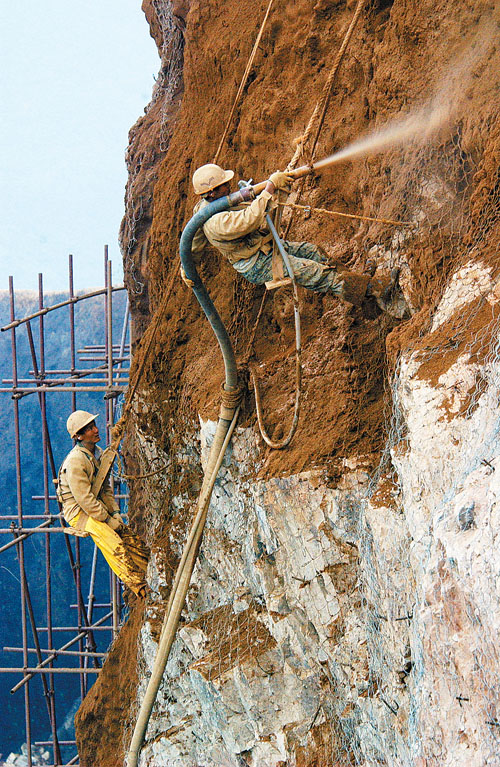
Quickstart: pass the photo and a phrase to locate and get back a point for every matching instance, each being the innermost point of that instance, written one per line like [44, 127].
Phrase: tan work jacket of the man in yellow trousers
[75, 488]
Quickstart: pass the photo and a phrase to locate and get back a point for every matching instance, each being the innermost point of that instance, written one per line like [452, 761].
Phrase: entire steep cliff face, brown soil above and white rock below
[345, 606]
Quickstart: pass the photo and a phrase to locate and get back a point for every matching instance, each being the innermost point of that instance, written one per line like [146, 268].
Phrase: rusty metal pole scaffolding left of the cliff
[108, 375]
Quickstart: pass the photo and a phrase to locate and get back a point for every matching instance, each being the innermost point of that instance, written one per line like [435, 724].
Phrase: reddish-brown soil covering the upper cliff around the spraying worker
[401, 54]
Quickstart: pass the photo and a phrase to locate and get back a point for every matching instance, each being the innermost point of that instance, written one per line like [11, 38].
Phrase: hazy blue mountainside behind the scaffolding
[89, 322]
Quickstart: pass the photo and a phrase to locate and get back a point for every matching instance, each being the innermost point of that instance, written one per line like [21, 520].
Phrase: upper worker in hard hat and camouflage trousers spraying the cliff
[243, 237]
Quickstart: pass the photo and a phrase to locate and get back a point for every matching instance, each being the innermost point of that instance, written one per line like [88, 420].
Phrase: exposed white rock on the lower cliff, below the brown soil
[358, 622]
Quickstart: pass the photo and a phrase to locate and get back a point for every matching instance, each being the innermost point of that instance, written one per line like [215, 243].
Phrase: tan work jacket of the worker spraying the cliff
[237, 233]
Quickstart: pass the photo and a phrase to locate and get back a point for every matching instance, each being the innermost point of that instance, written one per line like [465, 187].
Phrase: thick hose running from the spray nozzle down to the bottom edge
[225, 426]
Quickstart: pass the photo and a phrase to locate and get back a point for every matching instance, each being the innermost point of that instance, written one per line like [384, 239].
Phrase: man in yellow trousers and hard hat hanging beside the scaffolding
[97, 513]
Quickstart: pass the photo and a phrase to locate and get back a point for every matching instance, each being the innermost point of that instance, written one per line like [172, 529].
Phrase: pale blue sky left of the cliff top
[74, 78]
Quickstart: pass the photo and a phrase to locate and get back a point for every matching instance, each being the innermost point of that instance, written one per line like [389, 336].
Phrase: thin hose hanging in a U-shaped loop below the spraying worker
[298, 357]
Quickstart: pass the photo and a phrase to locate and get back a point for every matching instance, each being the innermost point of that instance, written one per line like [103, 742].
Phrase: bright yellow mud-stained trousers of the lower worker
[126, 554]
